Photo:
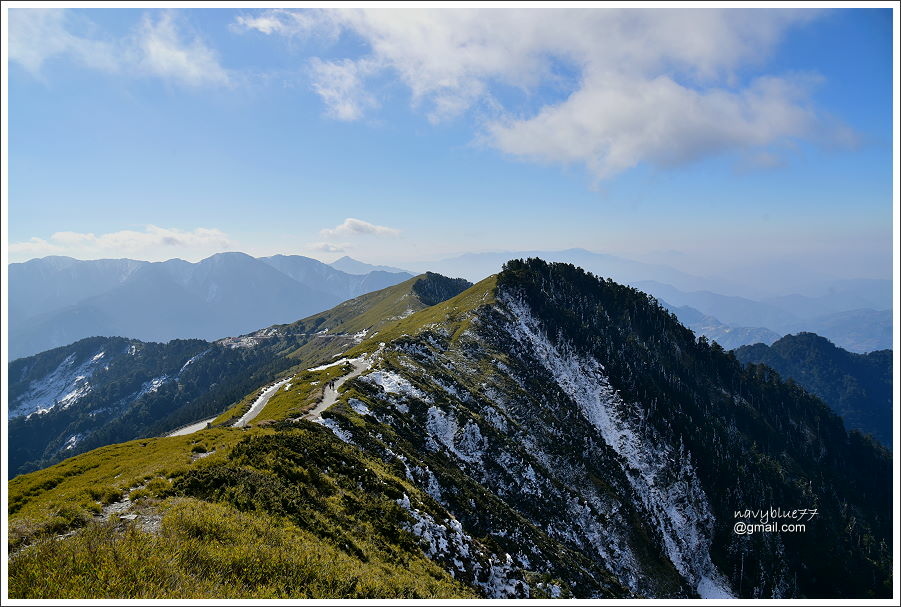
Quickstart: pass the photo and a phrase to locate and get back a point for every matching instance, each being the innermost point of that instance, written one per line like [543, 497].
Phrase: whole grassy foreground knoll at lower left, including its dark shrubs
[295, 514]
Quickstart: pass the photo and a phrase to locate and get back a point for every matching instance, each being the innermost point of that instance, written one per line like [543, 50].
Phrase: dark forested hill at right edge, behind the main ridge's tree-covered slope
[857, 386]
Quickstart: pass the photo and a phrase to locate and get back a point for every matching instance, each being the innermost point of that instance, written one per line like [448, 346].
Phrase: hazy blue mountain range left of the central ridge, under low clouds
[55, 301]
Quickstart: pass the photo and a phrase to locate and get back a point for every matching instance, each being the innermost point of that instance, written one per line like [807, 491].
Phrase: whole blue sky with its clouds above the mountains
[710, 140]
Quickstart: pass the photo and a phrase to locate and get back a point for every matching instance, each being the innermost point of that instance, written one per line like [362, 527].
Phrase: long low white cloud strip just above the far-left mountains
[151, 244]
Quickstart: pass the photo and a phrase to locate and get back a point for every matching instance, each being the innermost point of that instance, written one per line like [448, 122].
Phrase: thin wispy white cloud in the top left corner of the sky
[156, 48]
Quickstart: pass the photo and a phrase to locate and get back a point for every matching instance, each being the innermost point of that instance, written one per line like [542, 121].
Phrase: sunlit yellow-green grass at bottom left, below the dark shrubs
[213, 550]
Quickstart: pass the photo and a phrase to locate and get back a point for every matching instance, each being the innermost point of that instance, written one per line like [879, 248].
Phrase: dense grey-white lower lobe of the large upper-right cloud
[613, 124]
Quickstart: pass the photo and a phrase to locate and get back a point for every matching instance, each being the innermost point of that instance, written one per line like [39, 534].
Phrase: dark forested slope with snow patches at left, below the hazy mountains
[108, 389]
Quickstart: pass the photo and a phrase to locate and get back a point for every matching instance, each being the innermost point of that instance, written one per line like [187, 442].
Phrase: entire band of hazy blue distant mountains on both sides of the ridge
[58, 300]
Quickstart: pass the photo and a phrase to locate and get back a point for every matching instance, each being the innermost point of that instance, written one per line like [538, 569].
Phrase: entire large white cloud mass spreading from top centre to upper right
[639, 86]
